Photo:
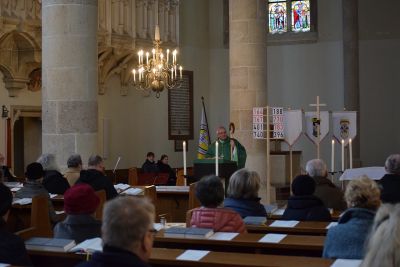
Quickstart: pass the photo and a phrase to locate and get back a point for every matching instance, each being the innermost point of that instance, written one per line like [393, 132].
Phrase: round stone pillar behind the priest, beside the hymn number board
[248, 78]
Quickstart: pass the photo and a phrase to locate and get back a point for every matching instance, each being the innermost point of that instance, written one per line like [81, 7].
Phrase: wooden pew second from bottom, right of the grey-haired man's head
[293, 245]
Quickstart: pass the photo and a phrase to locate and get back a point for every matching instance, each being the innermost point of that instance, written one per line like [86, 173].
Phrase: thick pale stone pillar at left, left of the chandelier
[69, 69]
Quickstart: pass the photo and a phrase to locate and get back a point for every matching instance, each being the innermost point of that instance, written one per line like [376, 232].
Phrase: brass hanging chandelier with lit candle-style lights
[158, 72]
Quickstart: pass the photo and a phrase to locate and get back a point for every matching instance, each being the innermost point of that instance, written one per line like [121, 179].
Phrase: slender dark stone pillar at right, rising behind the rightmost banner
[351, 68]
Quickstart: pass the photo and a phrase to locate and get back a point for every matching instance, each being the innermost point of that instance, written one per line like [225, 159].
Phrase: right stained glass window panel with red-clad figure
[300, 16]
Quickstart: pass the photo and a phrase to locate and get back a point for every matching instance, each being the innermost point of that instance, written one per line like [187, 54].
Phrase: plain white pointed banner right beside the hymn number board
[292, 126]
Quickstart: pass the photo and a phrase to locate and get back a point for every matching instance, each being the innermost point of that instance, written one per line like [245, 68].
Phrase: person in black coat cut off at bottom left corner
[12, 247]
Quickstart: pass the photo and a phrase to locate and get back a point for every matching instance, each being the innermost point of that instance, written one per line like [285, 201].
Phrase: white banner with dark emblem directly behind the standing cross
[311, 125]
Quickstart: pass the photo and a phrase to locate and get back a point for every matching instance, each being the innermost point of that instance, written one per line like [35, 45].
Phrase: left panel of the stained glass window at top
[277, 16]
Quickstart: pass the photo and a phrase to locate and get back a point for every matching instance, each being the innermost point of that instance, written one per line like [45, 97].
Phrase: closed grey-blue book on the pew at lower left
[53, 244]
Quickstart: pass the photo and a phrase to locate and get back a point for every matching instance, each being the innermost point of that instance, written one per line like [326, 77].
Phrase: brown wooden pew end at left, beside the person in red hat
[30, 220]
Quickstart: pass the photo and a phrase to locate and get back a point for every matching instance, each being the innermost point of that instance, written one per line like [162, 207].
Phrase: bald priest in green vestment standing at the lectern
[224, 148]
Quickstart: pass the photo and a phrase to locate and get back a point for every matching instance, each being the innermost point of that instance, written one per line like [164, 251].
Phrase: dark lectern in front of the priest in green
[204, 167]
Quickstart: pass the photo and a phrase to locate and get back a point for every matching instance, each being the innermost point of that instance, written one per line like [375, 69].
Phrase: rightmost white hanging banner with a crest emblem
[344, 126]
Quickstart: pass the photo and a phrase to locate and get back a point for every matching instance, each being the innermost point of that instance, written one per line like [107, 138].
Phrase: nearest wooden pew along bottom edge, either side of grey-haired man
[167, 257]
